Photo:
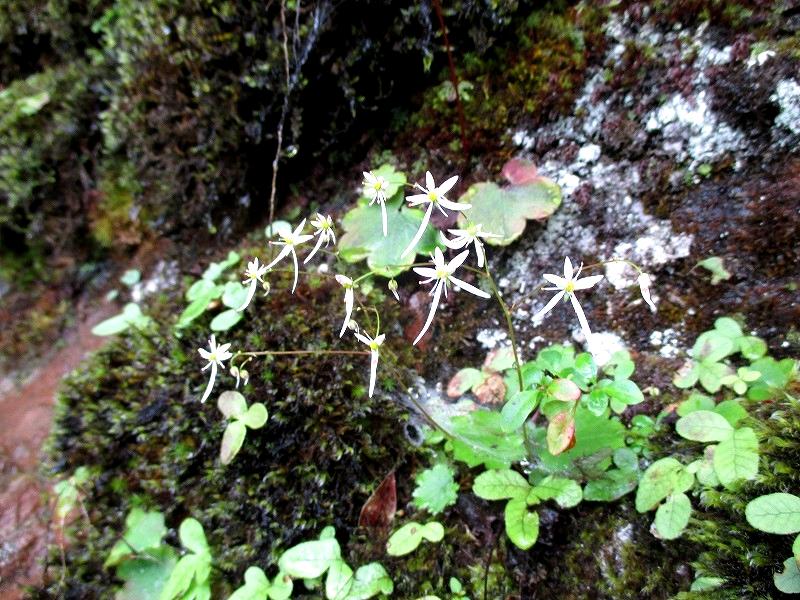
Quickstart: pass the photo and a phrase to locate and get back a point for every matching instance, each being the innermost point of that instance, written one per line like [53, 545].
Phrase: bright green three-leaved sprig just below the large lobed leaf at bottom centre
[522, 524]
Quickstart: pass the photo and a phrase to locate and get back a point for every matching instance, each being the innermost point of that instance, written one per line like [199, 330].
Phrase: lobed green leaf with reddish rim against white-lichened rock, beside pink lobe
[504, 211]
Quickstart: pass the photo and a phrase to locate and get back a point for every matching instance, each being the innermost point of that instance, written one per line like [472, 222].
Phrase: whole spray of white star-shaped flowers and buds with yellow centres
[441, 272]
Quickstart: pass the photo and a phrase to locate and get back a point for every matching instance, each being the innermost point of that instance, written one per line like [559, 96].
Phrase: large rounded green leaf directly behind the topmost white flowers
[364, 239]
